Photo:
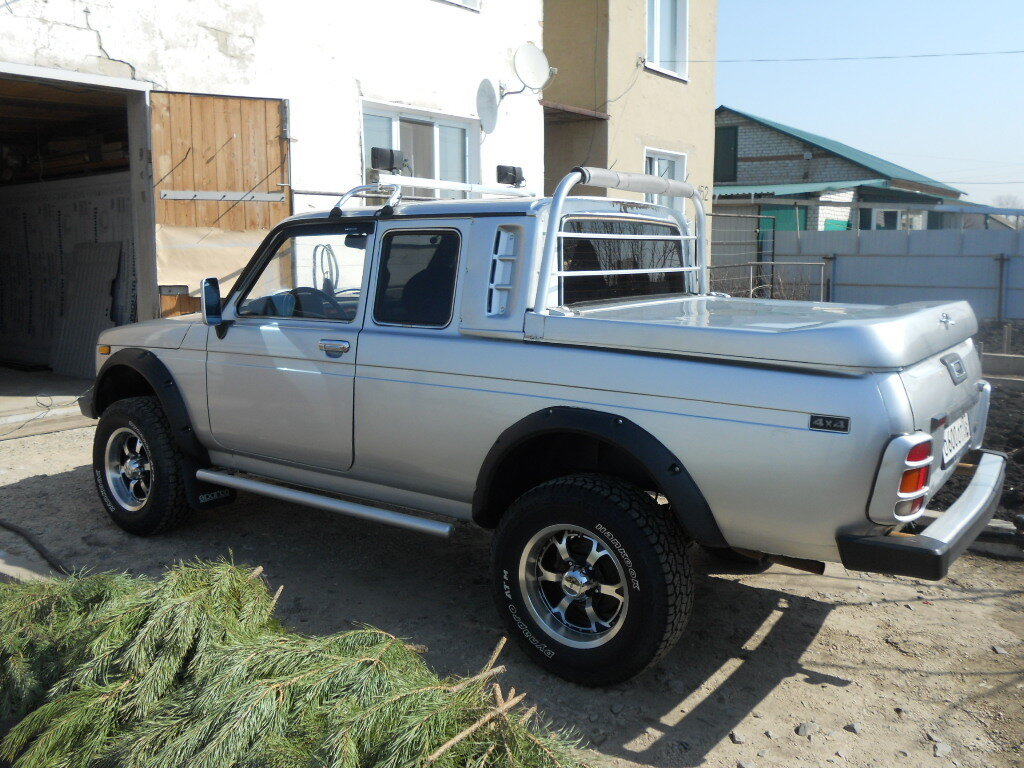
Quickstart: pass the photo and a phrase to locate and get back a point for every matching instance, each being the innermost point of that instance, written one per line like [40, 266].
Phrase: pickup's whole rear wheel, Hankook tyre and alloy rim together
[592, 578]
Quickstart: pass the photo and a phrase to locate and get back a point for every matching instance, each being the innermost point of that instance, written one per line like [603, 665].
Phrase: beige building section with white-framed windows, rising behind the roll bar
[635, 90]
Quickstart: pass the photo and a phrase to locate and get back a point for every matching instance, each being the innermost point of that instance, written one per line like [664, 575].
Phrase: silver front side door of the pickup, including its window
[280, 380]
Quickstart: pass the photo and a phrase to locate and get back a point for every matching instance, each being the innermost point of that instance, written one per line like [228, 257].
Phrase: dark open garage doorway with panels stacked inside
[68, 262]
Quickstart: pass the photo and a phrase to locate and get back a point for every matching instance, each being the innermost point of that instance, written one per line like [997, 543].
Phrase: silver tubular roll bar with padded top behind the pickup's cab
[641, 183]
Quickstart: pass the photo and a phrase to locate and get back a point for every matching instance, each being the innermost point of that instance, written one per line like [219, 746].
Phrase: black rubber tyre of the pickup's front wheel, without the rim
[165, 505]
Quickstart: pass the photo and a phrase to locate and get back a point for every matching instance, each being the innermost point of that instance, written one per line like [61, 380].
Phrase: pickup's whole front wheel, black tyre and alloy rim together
[138, 470]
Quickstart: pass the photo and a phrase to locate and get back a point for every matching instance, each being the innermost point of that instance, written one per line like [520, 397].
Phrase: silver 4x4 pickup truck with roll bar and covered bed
[554, 369]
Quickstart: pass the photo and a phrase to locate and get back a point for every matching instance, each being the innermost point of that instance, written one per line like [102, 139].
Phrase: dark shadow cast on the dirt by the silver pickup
[743, 641]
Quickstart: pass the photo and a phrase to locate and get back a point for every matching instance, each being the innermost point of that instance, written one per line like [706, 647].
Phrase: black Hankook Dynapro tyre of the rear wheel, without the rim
[635, 530]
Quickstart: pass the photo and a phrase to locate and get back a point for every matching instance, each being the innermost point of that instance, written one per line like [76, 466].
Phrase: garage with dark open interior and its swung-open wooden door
[115, 202]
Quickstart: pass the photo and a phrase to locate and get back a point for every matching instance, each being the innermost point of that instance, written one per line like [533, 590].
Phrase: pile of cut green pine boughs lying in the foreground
[192, 669]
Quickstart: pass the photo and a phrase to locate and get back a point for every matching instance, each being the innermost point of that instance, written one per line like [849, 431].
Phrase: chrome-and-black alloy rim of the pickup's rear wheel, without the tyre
[575, 586]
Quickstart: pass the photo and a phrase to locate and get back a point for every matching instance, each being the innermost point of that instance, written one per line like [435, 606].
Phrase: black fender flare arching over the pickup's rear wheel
[675, 483]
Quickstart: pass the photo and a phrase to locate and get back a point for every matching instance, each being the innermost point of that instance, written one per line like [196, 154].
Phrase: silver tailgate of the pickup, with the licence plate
[943, 390]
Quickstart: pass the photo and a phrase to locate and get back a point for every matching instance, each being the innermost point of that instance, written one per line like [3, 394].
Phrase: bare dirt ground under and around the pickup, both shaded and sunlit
[932, 674]
